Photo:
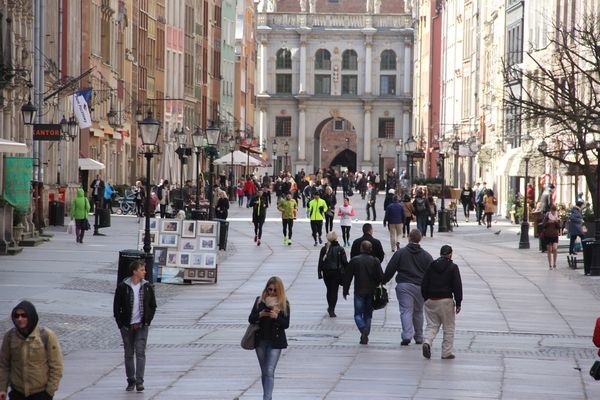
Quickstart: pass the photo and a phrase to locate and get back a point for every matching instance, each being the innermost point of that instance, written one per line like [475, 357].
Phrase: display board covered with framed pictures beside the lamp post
[184, 251]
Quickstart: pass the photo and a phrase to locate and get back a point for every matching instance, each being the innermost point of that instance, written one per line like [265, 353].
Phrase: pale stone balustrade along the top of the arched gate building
[341, 21]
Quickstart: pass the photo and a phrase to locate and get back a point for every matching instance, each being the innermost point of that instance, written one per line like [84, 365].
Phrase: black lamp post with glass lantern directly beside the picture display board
[149, 128]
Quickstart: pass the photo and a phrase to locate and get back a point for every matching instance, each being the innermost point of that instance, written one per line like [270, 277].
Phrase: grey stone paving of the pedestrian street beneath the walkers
[524, 332]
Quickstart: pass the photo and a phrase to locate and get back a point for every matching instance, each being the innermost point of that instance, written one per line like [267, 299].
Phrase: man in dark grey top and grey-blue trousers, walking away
[409, 265]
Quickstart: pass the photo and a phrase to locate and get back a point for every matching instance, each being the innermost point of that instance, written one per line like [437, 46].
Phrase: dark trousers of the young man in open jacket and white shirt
[134, 341]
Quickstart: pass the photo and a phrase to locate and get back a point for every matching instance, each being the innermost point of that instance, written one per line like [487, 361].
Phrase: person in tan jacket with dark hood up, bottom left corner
[31, 361]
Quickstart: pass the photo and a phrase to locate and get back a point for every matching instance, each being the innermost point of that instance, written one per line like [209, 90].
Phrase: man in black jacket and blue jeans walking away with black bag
[367, 274]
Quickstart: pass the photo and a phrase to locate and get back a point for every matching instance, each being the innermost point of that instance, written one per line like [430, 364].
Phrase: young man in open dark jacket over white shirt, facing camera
[134, 306]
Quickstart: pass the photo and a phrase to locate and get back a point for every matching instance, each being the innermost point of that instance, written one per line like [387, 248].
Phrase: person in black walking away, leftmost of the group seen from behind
[332, 264]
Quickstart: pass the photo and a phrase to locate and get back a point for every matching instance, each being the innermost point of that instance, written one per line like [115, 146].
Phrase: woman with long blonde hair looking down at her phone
[271, 311]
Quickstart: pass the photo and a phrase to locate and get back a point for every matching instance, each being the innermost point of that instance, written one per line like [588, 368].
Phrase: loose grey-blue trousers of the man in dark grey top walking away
[410, 302]
